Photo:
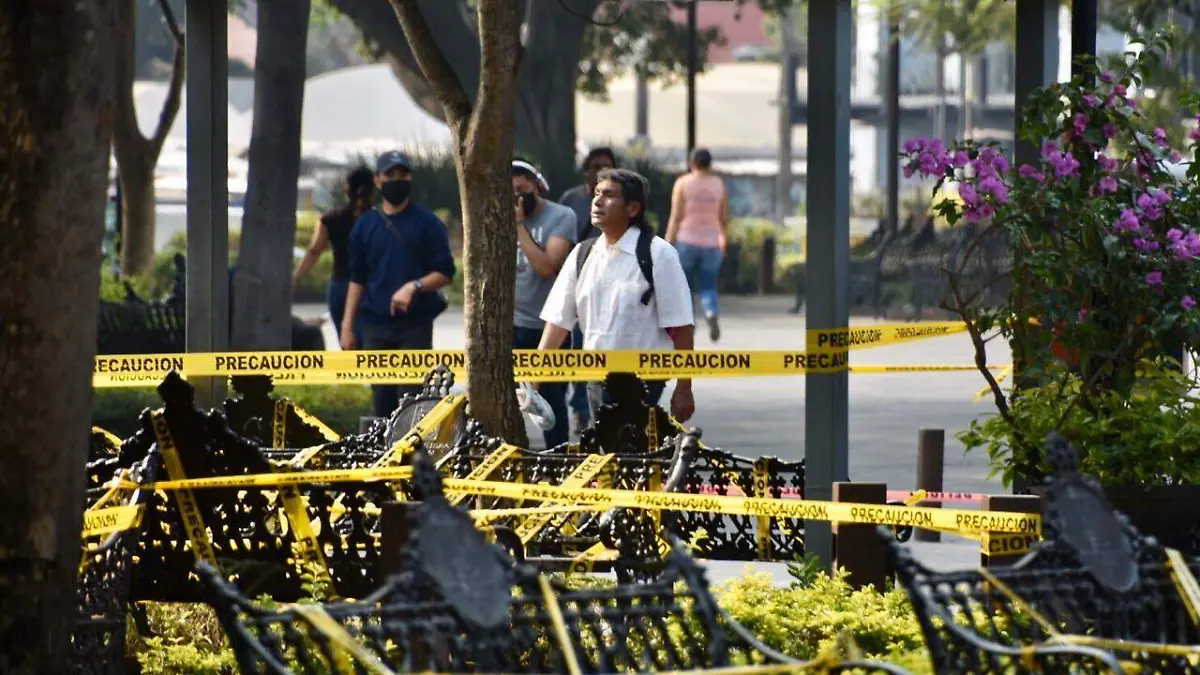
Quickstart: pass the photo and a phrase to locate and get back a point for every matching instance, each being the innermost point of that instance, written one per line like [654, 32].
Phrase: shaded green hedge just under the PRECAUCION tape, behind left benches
[339, 407]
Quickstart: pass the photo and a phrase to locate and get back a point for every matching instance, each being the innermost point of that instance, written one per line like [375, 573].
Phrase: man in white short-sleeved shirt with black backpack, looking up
[616, 303]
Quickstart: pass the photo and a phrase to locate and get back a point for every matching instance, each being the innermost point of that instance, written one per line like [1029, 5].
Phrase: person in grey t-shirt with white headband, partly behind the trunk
[547, 234]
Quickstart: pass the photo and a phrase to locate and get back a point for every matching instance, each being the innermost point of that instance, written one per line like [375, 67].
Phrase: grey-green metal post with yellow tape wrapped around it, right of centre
[826, 409]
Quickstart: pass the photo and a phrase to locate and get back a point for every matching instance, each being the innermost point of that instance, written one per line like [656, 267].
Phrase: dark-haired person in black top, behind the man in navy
[334, 231]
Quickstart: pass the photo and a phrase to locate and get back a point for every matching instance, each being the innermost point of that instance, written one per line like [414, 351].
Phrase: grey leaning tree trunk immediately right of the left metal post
[262, 284]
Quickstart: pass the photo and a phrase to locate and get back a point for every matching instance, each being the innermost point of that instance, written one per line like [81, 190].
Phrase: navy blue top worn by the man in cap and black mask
[382, 262]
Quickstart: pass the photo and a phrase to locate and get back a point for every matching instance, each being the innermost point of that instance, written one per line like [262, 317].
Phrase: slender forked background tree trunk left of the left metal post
[137, 156]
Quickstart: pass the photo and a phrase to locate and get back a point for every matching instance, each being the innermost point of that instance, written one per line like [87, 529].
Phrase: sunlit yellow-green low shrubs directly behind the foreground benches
[801, 622]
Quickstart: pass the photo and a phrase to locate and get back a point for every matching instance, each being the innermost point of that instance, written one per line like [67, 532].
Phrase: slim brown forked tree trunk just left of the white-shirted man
[483, 134]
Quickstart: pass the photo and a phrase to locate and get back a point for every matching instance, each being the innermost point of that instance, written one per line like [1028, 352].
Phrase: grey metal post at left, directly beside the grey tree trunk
[208, 193]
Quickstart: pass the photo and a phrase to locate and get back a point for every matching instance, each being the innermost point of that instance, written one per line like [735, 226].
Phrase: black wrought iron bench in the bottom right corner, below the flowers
[1094, 596]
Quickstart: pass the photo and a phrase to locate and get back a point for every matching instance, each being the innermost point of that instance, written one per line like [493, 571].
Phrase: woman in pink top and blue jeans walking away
[700, 216]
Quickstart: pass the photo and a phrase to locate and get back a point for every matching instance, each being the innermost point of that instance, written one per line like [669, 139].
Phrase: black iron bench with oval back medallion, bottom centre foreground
[464, 606]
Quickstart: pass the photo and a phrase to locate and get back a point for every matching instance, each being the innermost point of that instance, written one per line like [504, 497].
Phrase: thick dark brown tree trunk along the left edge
[57, 110]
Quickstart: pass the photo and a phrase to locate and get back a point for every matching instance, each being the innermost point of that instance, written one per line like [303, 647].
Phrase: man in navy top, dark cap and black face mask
[400, 259]
